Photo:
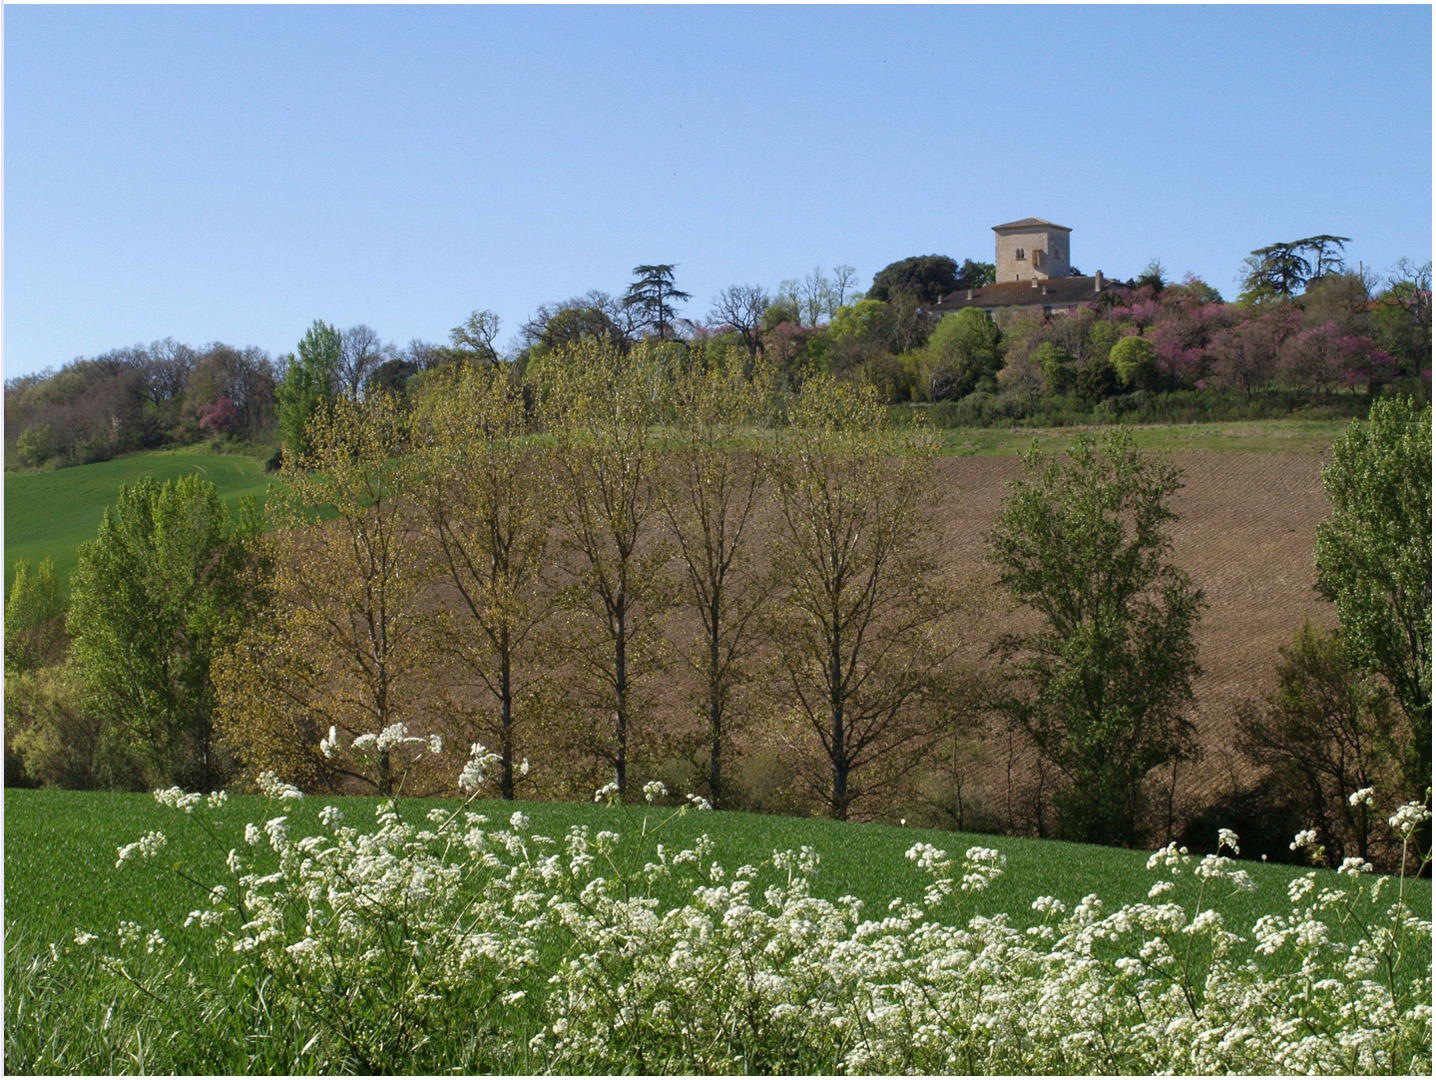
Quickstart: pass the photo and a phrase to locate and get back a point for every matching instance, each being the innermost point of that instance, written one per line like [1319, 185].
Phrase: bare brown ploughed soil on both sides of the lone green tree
[1247, 526]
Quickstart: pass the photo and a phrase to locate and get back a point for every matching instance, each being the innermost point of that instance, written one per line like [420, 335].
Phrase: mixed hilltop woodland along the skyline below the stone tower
[1305, 332]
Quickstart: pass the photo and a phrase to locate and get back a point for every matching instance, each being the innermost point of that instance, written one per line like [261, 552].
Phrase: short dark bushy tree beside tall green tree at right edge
[1326, 735]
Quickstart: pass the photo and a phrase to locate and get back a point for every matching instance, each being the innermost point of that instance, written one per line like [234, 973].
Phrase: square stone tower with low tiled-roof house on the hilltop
[1035, 275]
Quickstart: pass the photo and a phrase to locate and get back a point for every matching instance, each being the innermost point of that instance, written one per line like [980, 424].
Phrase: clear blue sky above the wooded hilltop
[236, 173]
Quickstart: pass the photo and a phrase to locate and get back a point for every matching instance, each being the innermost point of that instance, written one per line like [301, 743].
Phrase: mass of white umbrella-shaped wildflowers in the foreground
[556, 954]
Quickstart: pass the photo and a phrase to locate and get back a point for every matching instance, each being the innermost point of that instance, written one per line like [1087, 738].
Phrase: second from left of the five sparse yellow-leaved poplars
[489, 498]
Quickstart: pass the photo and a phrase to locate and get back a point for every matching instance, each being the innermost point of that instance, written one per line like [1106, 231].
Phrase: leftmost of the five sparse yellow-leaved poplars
[345, 644]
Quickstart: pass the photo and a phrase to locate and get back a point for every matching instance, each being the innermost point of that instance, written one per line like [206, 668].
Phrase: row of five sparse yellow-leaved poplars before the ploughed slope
[551, 567]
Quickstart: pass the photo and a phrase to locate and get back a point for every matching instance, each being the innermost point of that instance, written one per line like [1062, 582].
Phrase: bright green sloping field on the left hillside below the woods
[54, 513]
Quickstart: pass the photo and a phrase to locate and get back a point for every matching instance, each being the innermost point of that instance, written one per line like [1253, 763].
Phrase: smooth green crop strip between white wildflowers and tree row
[60, 857]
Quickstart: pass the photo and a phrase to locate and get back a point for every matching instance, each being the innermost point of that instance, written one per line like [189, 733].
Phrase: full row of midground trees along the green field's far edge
[663, 562]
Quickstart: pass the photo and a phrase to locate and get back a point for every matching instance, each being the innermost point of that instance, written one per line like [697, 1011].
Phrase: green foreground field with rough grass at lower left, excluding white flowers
[61, 883]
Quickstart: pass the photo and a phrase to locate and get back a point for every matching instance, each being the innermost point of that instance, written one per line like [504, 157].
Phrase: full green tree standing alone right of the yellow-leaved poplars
[1104, 683]
